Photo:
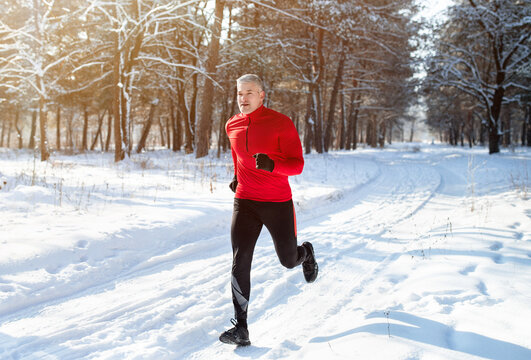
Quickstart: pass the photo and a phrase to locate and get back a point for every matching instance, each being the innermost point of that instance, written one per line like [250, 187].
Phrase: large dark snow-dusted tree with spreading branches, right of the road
[481, 50]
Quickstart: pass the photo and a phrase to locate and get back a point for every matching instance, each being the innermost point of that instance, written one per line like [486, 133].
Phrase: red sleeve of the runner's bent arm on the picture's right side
[290, 160]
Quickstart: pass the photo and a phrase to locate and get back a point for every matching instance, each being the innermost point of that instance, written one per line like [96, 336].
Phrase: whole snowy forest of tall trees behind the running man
[130, 75]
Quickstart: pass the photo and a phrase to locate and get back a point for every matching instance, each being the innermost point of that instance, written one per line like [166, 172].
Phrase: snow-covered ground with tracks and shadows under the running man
[424, 253]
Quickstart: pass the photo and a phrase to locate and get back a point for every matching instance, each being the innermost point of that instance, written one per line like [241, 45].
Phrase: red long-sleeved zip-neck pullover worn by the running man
[269, 132]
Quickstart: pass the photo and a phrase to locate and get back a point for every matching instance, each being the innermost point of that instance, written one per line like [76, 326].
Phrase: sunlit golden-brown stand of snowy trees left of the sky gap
[123, 75]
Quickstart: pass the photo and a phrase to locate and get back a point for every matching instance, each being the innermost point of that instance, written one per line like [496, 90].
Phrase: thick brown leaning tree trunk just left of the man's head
[205, 123]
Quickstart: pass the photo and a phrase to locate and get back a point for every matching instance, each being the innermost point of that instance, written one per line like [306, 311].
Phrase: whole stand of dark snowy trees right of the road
[478, 83]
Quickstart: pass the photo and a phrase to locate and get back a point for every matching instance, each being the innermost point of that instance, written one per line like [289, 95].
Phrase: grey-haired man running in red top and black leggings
[266, 149]
